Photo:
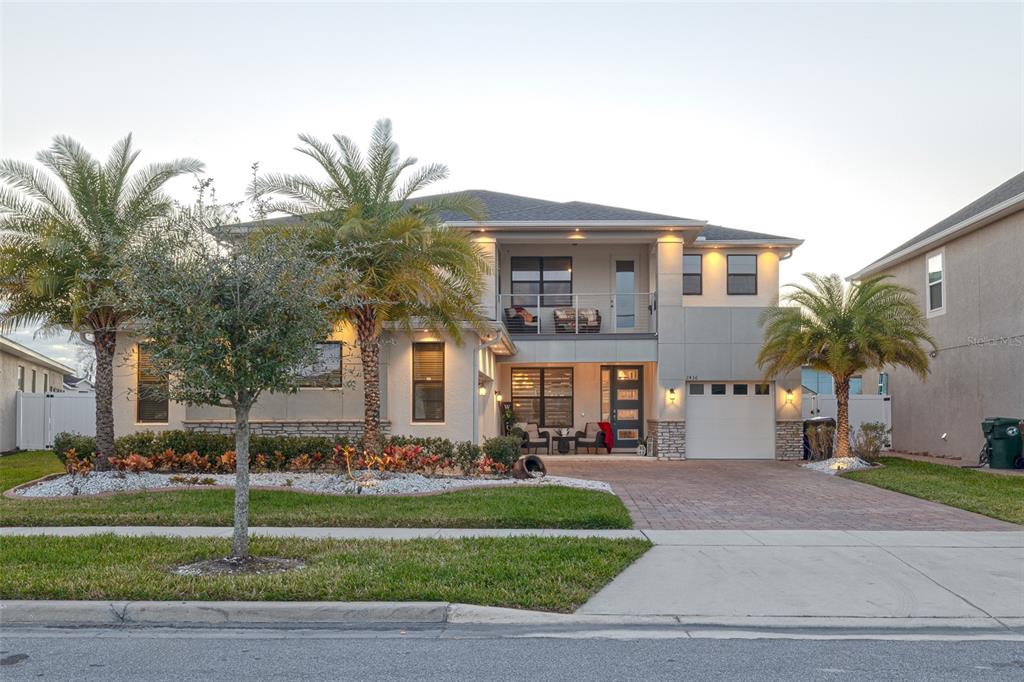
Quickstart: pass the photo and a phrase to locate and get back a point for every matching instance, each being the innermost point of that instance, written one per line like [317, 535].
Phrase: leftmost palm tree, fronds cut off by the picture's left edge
[64, 239]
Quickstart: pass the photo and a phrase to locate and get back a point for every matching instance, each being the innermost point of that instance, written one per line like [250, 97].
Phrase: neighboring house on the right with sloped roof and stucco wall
[967, 273]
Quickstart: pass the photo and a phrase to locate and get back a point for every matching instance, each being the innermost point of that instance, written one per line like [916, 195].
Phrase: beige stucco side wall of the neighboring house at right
[970, 378]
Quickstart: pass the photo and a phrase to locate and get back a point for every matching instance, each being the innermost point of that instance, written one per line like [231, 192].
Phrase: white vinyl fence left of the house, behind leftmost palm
[42, 416]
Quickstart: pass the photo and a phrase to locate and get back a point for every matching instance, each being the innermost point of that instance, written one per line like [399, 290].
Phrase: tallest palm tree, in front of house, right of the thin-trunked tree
[395, 262]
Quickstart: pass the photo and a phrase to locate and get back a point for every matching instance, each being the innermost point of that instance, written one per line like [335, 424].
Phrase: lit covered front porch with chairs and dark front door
[564, 400]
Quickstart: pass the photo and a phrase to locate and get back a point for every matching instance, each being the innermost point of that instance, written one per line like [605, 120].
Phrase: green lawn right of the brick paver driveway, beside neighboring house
[992, 495]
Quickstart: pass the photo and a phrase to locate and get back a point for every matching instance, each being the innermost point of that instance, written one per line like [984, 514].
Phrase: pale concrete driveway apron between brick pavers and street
[800, 574]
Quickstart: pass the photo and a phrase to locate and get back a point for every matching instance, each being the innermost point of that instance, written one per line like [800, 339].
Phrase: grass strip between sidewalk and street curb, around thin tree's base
[549, 574]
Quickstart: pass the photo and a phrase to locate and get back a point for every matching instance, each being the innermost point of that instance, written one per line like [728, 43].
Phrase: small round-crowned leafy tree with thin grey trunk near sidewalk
[228, 324]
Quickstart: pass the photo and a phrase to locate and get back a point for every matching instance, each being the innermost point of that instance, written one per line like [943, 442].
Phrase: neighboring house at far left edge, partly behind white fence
[22, 369]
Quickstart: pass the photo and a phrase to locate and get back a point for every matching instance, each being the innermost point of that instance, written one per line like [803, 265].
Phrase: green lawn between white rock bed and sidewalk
[553, 507]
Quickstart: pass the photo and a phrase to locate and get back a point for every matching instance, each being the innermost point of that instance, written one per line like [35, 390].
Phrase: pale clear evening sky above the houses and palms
[851, 126]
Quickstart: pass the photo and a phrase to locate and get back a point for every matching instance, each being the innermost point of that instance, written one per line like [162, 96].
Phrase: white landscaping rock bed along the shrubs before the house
[327, 484]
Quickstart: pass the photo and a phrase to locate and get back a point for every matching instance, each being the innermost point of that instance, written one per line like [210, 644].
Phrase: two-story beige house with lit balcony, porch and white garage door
[598, 314]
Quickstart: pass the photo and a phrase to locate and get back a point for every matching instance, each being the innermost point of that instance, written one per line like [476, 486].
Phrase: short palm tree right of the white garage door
[844, 331]
